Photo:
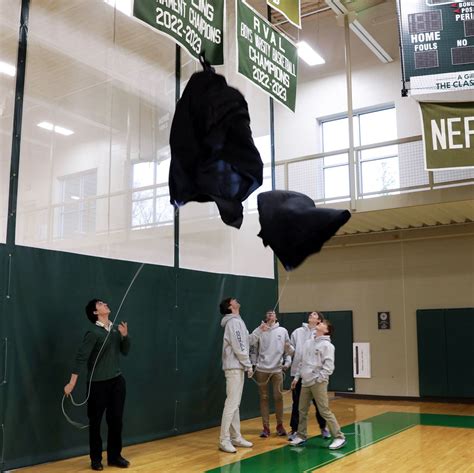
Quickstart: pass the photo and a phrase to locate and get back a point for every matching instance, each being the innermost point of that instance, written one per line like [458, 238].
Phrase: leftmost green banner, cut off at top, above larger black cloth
[196, 25]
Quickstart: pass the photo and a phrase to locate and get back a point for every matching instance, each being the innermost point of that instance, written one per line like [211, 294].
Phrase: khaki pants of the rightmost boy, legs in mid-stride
[318, 391]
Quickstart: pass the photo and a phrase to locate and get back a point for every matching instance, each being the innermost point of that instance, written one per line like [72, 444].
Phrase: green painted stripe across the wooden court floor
[315, 453]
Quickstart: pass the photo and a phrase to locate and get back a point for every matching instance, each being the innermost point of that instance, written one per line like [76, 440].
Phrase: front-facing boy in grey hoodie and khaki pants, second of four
[271, 354]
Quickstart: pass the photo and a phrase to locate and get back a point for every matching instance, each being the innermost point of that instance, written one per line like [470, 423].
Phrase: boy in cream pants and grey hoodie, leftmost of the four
[235, 361]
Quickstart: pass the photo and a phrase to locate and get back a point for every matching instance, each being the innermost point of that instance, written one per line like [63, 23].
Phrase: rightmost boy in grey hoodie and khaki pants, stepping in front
[315, 367]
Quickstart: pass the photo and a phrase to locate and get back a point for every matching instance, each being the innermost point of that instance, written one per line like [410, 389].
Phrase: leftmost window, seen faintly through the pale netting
[77, 214]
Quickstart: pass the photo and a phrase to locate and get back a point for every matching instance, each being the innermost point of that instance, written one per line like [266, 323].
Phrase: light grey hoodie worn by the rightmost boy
[317, 362]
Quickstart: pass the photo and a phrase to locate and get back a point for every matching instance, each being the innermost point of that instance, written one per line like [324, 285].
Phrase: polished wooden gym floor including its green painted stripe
[382, 436]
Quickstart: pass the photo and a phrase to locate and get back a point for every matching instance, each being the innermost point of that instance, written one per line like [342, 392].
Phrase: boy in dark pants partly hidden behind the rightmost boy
[297, 340]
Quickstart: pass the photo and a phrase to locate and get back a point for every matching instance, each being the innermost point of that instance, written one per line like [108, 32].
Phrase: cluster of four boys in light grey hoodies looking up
[270, 351]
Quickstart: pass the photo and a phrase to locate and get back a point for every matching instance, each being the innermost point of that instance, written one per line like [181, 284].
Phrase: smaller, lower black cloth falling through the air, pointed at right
[293, 227]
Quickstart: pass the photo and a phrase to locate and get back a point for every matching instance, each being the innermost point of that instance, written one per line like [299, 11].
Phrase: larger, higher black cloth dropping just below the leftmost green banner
[213, 156]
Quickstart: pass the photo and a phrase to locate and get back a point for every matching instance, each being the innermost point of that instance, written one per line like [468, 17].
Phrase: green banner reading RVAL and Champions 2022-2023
[265, 56]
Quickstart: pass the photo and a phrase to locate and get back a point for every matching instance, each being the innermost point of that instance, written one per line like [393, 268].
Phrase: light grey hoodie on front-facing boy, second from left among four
[270, 350]
